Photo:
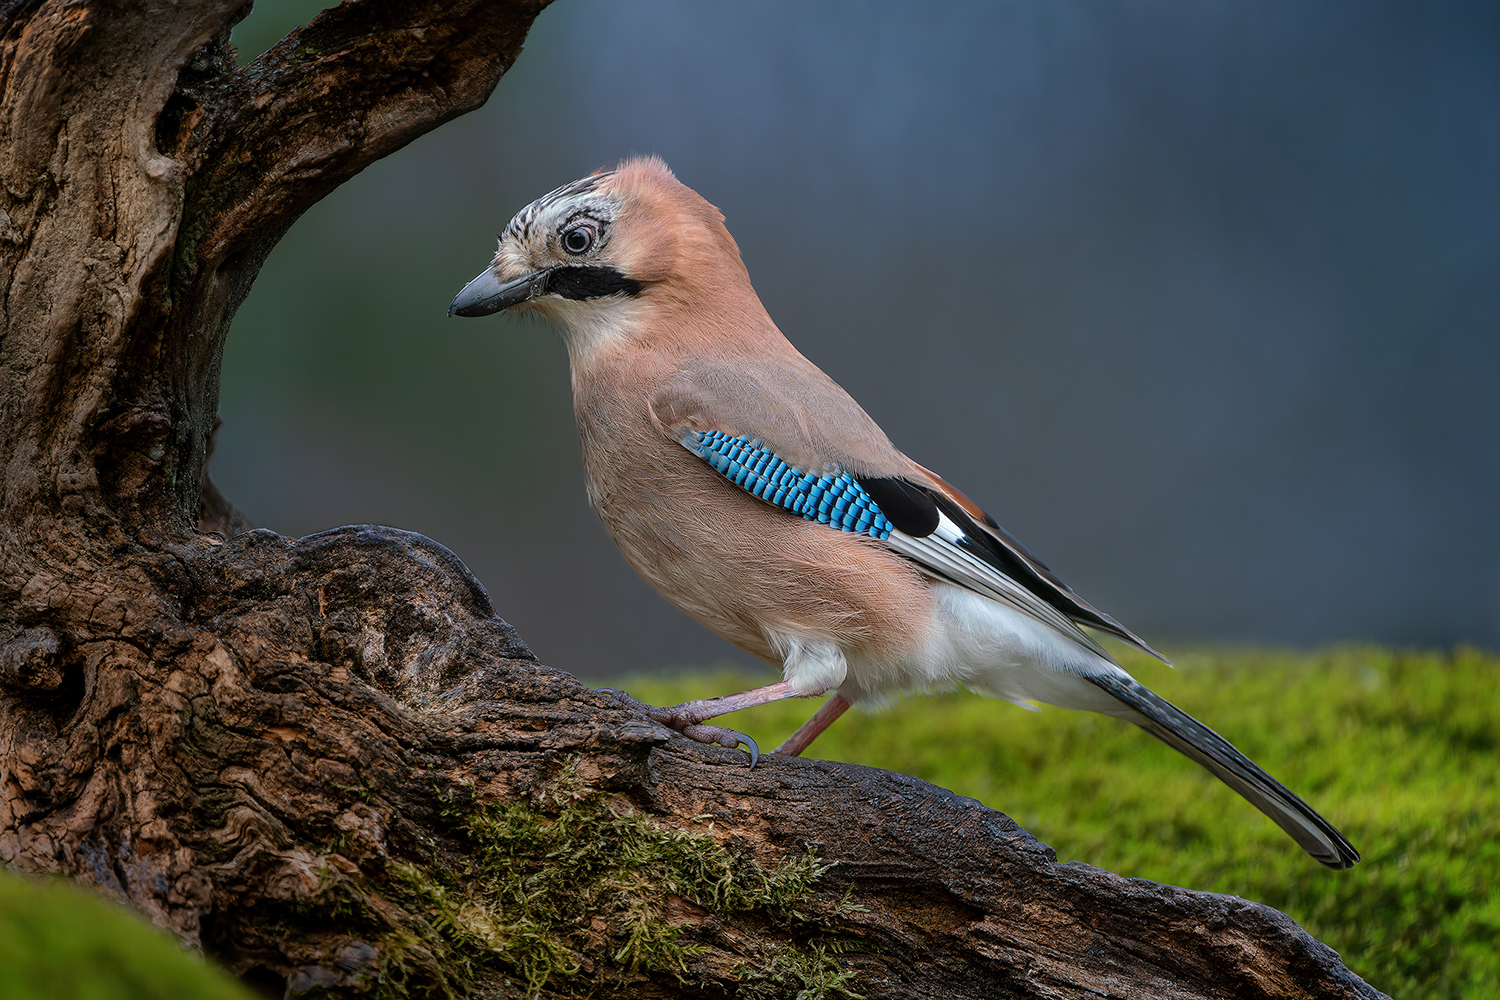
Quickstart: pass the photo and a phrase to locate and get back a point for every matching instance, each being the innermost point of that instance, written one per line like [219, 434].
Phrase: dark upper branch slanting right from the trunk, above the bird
[361, 82]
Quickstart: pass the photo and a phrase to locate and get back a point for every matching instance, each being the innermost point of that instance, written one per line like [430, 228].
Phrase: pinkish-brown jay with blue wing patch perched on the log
[755, 494]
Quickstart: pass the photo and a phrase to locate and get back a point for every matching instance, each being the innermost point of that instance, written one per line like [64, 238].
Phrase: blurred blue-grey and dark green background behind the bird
[1201, 301]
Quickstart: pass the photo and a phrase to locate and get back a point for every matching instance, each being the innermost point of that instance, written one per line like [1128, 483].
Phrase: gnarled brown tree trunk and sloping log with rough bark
[326, 761]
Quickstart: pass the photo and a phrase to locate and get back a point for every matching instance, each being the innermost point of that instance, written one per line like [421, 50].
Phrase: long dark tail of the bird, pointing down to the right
[1192, 738]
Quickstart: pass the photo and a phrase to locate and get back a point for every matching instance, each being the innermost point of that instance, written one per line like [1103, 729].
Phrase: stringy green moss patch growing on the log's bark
[577, 888]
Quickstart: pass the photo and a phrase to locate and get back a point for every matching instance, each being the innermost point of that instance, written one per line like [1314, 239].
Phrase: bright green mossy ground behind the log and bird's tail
[1400, 750]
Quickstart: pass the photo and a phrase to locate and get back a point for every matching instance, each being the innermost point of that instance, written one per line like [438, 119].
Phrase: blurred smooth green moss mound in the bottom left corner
[58, 941]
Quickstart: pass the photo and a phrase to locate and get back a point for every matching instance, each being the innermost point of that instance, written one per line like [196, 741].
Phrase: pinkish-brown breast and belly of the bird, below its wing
[737, 564]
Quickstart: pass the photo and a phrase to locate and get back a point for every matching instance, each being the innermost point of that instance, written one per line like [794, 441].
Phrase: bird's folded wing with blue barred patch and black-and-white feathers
[787, 434]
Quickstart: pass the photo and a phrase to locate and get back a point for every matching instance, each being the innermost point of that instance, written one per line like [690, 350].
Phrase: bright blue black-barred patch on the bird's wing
[830, 500]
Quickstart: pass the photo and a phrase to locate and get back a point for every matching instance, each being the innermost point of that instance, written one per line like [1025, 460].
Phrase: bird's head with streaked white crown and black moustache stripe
[598, 254]
